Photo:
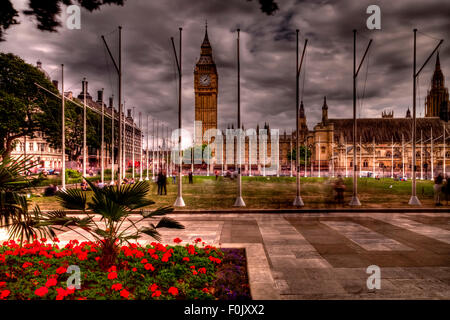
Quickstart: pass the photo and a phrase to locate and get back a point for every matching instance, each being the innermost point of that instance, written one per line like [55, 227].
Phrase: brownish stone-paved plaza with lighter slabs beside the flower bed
[325, 255]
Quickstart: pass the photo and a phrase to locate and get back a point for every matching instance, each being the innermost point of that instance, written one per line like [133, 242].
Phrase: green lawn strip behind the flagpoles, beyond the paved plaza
[273, 192]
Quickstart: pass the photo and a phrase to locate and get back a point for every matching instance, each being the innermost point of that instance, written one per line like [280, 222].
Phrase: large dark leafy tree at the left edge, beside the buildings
[21, 101]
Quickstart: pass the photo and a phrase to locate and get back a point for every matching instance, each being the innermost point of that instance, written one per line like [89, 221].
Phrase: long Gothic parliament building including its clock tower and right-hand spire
[384, 146]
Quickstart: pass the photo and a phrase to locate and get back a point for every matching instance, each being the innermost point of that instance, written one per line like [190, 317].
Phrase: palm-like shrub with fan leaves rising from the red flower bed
[104, 216]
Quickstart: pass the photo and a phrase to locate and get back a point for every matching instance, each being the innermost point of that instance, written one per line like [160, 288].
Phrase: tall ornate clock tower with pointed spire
[206, 87]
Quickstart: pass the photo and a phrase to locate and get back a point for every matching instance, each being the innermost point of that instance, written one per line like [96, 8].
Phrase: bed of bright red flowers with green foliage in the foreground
[38, 270]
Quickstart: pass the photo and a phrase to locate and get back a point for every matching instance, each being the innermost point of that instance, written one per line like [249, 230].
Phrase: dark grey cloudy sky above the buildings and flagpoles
[267, 55]
